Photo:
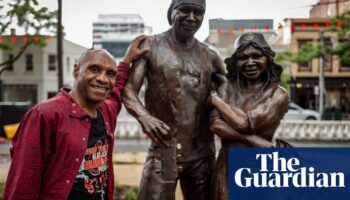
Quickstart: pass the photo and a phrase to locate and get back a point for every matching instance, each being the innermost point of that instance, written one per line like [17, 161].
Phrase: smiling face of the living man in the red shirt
[95, 77]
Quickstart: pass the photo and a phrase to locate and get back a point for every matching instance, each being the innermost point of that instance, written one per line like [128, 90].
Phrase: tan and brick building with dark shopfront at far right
[305, 76]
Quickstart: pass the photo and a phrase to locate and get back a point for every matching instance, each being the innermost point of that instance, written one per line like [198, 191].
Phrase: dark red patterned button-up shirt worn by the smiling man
[50, 143]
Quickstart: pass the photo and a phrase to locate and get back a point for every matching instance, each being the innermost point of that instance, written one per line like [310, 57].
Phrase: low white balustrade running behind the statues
[288, 130]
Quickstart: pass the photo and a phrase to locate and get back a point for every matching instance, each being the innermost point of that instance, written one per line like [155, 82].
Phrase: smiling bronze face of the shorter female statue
[251, 63]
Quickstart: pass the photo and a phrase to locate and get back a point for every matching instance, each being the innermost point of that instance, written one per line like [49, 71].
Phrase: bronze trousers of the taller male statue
[194, 176]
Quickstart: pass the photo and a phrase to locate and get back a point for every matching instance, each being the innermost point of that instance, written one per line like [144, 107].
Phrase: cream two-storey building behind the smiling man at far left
[33, 77]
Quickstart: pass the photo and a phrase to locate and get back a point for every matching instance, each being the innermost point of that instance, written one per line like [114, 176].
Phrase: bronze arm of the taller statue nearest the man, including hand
[153, 127]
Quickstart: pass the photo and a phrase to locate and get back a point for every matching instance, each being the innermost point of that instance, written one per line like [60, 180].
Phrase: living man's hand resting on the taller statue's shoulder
[134, 52]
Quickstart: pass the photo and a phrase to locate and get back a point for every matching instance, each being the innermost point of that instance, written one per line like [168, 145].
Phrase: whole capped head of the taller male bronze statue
[186, 16]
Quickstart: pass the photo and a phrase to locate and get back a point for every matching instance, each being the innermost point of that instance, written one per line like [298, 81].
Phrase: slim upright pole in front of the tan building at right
[321, 75]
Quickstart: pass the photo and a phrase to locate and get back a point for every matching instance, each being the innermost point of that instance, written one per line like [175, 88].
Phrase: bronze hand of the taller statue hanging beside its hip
[157, 130]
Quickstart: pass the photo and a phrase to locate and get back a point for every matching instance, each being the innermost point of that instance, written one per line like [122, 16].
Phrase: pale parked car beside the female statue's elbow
[296, 112]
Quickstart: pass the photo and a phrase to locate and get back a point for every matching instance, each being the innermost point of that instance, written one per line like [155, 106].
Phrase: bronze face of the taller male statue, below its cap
[187, 19]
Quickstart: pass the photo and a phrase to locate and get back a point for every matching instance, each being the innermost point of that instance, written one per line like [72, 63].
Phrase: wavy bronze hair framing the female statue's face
[274, 70]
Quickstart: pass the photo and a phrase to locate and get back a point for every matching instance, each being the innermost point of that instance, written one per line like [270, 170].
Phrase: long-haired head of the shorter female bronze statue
[254, 47]
